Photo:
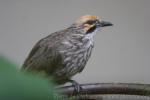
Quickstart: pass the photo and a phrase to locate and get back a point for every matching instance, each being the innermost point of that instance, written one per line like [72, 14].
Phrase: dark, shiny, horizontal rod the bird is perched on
[109, 88]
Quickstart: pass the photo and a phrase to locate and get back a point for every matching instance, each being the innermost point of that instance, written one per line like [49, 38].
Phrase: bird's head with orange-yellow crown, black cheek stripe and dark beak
[89, 24]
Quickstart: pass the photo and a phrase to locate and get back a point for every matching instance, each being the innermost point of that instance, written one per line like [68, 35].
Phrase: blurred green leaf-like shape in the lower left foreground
[18, 85]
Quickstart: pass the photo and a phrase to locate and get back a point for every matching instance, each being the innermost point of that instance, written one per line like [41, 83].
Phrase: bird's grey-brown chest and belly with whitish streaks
[76, 56]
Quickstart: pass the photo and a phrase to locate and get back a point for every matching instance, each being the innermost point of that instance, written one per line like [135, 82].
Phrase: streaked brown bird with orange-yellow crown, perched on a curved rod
[65, 53]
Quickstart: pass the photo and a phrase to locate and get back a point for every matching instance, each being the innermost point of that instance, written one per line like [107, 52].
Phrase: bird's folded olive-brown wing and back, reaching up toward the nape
[44, 55]
